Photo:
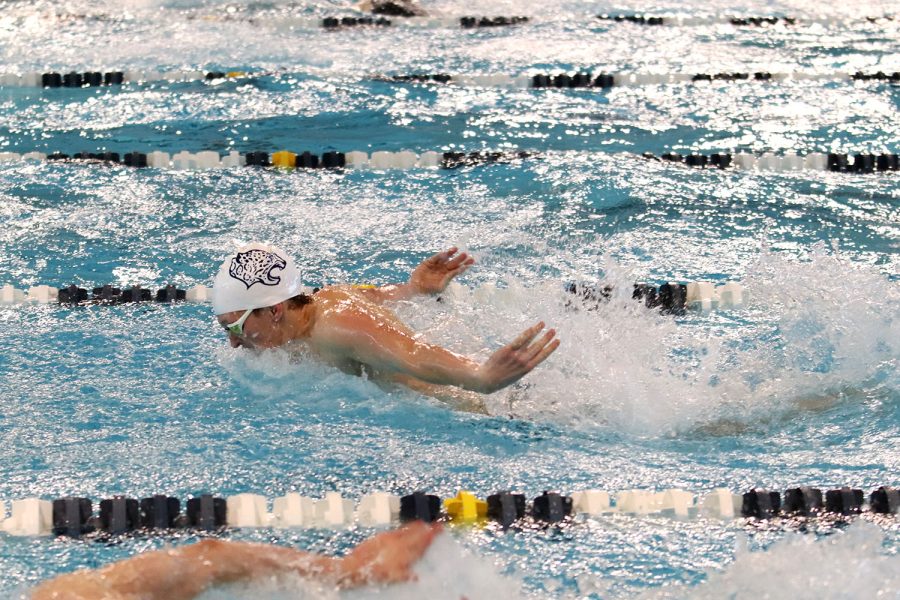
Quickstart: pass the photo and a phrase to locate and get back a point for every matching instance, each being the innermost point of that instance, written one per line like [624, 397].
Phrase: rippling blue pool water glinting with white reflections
[800, 388]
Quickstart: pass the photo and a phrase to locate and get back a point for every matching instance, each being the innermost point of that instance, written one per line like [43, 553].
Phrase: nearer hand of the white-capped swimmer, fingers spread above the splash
[510, 363]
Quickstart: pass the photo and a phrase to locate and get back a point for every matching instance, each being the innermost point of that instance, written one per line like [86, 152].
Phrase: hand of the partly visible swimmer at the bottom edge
[388, 557]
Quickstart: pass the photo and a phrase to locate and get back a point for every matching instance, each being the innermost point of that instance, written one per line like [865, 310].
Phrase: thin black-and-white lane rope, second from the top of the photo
[579, 80]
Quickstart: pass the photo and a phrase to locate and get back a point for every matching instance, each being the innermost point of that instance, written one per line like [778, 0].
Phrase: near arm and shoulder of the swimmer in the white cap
[347, 325]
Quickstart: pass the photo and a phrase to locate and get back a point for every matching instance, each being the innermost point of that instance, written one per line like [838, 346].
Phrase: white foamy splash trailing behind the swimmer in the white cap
[832, 327]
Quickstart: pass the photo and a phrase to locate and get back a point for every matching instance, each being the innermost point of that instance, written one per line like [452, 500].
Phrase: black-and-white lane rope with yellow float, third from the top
[859, 163]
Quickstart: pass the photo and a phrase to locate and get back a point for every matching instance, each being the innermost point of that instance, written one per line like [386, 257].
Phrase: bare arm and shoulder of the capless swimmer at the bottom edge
[186, 572]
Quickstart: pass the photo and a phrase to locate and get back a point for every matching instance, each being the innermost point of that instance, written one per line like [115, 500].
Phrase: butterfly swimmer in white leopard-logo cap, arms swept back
[259, 300]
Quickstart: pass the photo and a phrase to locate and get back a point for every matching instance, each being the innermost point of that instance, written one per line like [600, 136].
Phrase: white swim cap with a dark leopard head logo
[255, 276]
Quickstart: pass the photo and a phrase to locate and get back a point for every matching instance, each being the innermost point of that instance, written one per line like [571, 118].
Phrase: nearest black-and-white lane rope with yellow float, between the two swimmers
[74, 516]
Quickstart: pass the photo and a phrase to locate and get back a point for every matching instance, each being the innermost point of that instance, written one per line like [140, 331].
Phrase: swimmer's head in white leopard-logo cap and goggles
[255, 276]
